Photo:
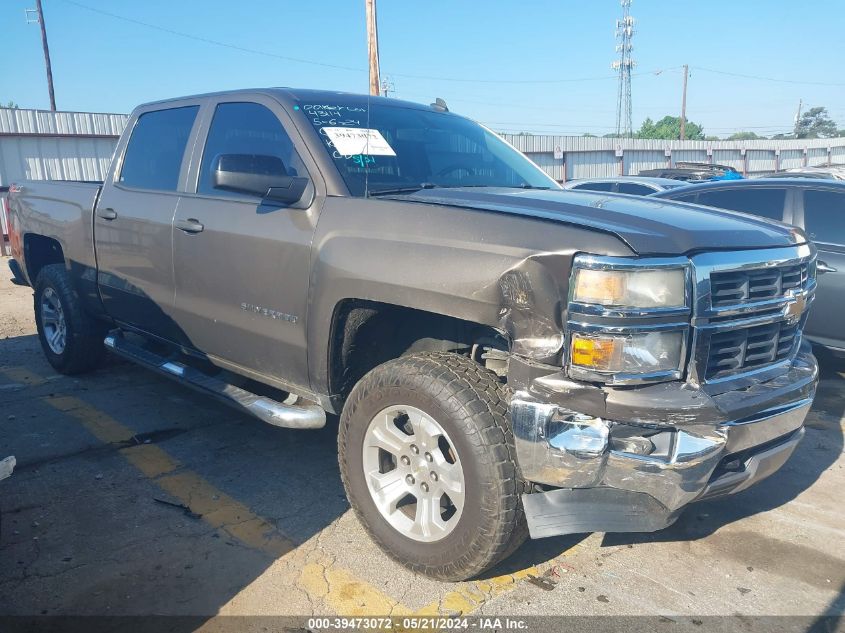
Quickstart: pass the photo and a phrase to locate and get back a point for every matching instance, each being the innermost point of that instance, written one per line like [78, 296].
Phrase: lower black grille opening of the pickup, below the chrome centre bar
[738, 351]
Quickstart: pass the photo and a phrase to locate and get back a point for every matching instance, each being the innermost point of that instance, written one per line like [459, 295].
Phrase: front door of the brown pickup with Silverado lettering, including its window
[241, 262]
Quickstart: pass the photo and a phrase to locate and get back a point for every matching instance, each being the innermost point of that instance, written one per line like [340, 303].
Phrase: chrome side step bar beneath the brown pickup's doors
[289, 416]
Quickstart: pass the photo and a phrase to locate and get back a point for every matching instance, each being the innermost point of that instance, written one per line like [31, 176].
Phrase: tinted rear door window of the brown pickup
[155, 150]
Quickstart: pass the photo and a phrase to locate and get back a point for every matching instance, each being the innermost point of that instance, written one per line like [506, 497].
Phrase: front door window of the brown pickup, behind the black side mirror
[246, 129]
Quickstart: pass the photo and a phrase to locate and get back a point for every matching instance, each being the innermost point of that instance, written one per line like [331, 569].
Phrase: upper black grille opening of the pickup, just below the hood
[746, 286]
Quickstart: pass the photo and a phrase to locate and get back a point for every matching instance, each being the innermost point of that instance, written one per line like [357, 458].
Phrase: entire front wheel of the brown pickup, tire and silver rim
[470, 407]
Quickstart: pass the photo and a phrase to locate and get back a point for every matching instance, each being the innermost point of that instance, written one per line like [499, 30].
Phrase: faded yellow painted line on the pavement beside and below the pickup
[339, 588]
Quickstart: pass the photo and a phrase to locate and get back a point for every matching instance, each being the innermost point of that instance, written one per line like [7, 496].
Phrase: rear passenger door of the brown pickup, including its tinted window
[133, 218]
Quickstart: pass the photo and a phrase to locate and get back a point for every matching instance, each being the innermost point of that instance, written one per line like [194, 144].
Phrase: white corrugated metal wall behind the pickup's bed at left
[39, 145]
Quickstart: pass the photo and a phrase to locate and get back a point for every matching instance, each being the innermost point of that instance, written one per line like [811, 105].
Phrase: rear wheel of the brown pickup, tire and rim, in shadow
[57, 307]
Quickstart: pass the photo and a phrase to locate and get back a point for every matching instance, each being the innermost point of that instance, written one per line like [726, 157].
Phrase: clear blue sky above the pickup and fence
[539, 66]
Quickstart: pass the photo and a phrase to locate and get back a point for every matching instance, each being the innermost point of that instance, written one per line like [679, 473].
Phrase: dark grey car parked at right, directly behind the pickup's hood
[818, 207]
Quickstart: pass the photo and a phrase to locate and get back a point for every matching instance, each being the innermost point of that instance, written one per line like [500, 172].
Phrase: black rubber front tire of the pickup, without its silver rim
[470, 404]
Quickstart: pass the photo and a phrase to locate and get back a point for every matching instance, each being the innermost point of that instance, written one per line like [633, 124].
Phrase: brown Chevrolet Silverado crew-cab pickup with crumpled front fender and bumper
[506, 357]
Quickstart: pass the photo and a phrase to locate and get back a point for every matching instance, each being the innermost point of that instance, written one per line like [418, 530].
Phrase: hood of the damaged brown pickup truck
[649, 226]
